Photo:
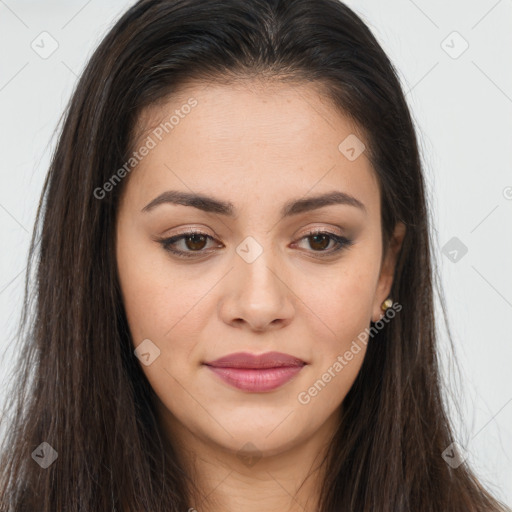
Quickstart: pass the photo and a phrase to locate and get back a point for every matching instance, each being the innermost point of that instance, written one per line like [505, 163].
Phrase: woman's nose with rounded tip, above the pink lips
[258, 295]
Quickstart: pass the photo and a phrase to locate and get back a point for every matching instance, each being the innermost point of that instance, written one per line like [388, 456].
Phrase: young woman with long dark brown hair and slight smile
[234, 303]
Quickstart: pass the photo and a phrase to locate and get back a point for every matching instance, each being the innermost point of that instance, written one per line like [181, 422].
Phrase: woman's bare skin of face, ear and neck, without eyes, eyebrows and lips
[258, 146]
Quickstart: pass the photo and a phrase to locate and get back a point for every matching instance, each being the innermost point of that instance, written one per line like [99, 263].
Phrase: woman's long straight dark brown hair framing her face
[79, 387]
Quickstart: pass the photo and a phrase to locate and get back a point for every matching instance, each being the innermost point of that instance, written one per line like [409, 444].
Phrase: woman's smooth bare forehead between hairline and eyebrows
[251, 140]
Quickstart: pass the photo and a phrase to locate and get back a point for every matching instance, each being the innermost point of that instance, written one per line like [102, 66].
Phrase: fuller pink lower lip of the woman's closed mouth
[256, 380]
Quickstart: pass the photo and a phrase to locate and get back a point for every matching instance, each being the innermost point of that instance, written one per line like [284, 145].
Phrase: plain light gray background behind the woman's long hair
[463, 110]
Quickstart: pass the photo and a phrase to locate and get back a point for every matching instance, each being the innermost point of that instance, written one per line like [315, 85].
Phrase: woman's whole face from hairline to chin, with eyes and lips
[259, 264]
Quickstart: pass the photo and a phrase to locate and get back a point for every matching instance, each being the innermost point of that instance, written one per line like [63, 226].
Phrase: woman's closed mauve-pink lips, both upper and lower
[256, 373]
